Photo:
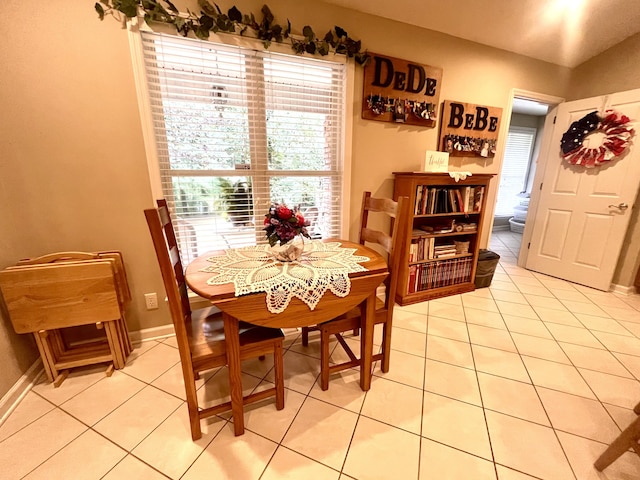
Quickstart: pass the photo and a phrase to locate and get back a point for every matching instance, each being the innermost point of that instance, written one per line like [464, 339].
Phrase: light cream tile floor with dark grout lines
[530, 378]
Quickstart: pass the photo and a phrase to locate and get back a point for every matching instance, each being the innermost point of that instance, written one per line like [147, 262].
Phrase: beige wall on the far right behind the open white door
[616, 70]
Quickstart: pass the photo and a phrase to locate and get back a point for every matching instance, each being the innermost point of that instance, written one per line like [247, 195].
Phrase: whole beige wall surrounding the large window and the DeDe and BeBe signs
[73, 173]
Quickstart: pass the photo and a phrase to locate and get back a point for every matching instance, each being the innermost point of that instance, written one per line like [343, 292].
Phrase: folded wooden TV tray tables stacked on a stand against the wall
[47, 294]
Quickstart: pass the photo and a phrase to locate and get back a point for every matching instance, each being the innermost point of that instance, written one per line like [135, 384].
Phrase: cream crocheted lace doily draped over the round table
[322, 267]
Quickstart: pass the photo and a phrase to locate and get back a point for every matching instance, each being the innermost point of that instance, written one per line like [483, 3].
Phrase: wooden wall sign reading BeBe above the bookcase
[469, 130]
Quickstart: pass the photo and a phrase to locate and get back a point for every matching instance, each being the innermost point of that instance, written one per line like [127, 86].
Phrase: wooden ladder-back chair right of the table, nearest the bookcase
[392, 243]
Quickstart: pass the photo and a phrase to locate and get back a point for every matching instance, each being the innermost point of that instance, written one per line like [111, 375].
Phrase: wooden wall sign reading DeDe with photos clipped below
[400, 91]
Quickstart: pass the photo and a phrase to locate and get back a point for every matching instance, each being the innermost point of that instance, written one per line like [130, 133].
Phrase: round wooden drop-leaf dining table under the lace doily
[252, 308]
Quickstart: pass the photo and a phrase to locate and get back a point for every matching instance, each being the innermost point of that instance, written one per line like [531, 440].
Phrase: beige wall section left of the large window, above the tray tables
[72, 166]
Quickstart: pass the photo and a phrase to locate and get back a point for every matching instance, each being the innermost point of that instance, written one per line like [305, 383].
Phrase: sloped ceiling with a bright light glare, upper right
[563, 32]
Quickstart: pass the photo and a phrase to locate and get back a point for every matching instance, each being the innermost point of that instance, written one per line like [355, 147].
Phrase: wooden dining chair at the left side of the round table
[200, 333]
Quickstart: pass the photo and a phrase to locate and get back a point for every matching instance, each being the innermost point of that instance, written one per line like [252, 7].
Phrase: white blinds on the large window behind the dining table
[237, 130]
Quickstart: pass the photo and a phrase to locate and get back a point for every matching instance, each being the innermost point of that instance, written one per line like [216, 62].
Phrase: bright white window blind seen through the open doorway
[515, 169]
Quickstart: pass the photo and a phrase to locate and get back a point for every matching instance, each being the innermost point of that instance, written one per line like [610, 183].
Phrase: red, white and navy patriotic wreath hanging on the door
[616, 138]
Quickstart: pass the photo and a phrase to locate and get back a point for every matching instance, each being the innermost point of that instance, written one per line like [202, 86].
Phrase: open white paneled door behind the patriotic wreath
[581, 220]
